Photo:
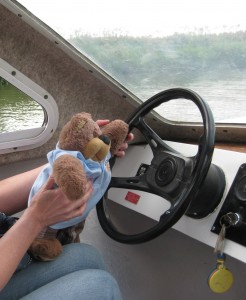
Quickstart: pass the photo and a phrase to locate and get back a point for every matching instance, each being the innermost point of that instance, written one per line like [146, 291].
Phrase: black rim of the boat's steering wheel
[199, 172]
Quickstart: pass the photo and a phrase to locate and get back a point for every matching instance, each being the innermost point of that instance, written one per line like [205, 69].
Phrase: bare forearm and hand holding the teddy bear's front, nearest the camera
[49, 206]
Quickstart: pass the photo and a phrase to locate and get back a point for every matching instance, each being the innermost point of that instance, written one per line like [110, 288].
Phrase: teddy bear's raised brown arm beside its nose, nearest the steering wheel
[117, 131]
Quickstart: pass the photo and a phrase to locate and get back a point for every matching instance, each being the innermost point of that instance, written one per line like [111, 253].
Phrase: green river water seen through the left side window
[17, 110]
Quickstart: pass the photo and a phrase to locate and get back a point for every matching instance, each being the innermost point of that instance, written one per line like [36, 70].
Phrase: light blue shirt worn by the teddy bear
[98, 172]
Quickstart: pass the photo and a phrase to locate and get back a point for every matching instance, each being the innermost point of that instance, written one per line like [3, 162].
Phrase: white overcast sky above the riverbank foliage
[139, 17]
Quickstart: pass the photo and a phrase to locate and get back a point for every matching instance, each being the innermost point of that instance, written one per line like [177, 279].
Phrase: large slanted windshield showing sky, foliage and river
[150, 45]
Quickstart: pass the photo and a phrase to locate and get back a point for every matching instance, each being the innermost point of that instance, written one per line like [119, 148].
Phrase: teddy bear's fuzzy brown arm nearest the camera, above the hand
[70, 176]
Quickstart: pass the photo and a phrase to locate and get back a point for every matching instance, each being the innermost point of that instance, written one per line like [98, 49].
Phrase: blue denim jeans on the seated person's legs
[78, 273]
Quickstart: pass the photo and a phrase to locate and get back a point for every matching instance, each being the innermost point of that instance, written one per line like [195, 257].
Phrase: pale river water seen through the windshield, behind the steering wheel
[226, 98]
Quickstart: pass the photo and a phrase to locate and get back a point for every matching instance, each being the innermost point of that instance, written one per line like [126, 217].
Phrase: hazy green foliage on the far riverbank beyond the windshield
[180, 57]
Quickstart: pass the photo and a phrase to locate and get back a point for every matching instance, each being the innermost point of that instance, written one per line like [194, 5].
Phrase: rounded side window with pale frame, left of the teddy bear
[28, 114]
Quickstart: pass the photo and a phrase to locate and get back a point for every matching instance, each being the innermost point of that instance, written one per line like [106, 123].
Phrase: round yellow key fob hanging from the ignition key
[220, 280]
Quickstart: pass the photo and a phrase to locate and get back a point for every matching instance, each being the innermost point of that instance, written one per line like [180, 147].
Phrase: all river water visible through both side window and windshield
[226, 98]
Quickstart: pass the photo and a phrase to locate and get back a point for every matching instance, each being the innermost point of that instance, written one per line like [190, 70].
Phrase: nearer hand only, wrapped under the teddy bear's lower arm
[51, 206]
